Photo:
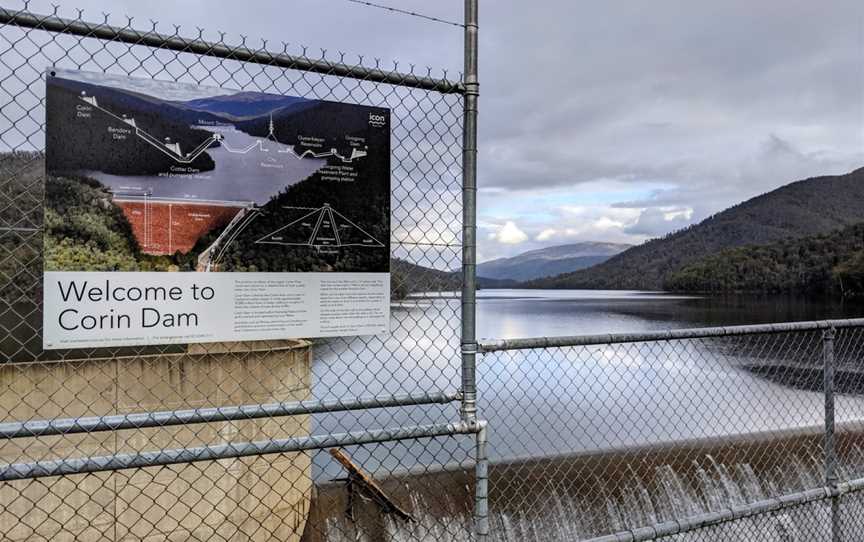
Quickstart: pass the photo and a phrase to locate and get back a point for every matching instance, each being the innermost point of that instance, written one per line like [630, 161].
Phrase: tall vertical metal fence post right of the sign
[469, 217]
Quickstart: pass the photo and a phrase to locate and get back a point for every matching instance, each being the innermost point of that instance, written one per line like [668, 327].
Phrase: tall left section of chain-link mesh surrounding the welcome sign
[285, 496]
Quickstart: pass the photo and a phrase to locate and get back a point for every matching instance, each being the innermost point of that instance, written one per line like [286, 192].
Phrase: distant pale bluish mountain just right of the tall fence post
[550, 261]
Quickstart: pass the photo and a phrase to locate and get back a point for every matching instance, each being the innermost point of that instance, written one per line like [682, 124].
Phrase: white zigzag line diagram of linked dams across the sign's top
[173, 150]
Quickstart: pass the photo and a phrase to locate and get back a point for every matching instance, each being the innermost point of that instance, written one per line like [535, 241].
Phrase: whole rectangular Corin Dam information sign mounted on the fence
[178, 213]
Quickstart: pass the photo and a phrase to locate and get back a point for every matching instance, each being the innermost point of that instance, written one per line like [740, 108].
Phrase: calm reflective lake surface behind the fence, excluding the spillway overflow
[561, 401]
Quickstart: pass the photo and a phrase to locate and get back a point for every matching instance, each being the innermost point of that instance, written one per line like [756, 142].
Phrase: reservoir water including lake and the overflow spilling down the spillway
[589, 411]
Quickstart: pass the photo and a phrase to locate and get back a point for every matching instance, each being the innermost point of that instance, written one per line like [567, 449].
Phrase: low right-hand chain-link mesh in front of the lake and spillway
[610, 439]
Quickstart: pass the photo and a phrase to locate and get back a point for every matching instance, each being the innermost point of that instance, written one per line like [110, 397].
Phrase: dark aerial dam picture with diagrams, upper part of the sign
[193, 178]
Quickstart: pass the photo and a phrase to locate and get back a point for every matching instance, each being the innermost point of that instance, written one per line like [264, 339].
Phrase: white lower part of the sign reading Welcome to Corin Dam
[113, 309]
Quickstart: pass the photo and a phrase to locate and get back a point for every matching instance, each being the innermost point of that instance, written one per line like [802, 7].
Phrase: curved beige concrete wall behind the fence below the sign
[257, 498]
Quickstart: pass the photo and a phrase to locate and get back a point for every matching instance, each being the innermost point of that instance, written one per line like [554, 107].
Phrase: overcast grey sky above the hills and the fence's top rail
[611, 121]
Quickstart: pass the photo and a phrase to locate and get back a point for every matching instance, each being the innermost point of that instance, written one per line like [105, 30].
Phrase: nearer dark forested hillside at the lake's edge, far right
[828, 262]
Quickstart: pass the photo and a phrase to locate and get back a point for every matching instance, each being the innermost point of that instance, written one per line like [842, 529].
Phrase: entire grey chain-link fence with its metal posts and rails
[746, 433]
